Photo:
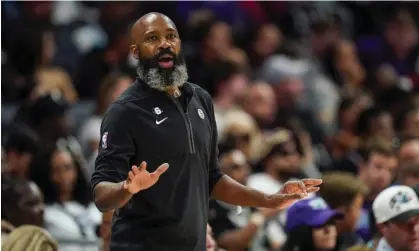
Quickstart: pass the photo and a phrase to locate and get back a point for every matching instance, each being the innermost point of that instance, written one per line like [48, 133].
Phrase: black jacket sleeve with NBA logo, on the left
[116, 147]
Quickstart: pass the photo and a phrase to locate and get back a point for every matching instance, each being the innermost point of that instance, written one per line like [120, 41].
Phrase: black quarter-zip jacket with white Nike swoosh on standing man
[144, 124]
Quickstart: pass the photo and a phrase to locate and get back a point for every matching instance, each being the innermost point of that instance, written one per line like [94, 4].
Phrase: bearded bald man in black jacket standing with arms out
[162, 118]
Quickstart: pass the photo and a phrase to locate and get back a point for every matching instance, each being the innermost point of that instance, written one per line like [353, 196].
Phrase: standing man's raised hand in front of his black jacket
[139, 178]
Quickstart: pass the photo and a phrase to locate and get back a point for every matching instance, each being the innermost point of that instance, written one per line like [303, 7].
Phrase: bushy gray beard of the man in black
[156, 80]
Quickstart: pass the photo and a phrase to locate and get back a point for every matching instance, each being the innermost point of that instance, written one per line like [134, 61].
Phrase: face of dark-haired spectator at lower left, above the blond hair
[29, 208]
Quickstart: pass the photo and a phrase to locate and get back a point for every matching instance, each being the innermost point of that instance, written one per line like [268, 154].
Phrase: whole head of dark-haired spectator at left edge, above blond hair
[21, 203]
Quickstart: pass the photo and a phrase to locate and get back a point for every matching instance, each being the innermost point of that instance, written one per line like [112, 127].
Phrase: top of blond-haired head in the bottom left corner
[31, 238]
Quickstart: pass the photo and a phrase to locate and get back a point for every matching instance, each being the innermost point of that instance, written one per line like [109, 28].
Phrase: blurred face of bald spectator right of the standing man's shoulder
[261, 103]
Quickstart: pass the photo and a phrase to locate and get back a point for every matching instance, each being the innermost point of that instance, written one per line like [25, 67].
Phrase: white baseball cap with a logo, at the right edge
[396, 203]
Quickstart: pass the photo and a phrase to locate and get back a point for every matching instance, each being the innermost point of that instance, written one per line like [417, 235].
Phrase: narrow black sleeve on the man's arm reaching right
[214, 168]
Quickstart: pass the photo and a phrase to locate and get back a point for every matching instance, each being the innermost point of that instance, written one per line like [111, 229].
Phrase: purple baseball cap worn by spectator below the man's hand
[312, 212]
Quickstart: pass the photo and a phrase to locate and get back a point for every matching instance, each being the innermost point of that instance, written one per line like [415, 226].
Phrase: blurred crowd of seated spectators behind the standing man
[300, 89]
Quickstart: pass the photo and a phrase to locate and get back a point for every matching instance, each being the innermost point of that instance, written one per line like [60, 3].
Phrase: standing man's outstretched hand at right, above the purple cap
[293, 191]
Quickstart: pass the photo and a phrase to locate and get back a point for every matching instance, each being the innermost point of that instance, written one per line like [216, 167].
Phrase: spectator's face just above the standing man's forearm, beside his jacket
[235, 165]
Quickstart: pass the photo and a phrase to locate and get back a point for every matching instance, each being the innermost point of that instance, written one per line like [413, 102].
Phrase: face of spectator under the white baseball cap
[402, 236]
